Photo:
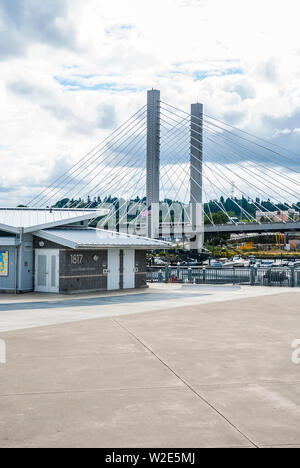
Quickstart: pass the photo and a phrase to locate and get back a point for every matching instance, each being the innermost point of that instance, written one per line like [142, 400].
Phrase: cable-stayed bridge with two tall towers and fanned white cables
[168, 173]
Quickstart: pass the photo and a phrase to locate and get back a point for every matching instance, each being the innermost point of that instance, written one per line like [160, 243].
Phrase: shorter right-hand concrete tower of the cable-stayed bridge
[196, 161]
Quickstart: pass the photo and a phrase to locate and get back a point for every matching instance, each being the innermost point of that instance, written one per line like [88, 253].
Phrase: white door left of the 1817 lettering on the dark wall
[47, 271]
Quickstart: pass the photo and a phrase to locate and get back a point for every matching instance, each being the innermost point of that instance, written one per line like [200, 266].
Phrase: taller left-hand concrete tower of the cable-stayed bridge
[153, 162]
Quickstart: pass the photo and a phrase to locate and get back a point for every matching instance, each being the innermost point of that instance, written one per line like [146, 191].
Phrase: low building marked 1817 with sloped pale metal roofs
[55, 251]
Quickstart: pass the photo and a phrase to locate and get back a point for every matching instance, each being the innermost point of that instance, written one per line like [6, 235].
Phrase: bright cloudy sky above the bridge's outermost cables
[72, 70]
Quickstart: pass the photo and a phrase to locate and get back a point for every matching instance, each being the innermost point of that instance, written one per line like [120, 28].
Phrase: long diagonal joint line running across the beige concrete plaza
[193, 390]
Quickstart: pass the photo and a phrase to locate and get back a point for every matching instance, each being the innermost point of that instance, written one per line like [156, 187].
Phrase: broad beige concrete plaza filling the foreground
[203, 374]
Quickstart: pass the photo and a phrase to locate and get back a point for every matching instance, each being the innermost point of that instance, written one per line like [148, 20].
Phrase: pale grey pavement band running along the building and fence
[35, 310]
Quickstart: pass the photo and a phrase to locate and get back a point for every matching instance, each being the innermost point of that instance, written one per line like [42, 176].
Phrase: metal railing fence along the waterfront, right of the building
[285, 277]
